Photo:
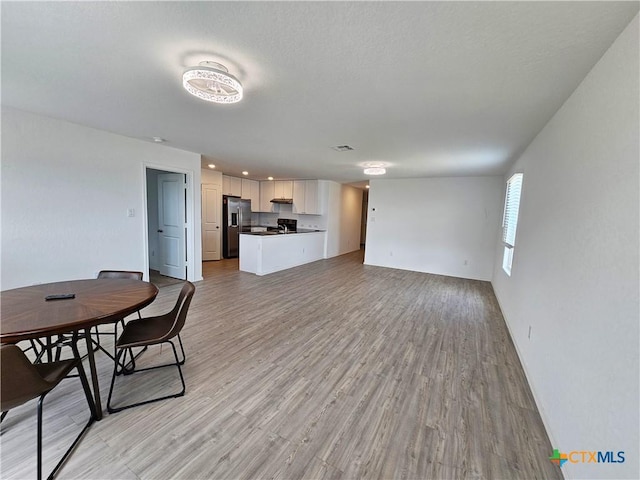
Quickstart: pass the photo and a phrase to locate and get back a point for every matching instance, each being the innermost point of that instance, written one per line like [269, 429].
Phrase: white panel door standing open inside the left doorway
[172, 225]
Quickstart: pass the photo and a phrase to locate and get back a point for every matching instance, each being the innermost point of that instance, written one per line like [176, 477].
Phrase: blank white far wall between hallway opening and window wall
[435, 225]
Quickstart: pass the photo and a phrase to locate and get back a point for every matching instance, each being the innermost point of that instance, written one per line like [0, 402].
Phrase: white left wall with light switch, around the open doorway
[65, 194]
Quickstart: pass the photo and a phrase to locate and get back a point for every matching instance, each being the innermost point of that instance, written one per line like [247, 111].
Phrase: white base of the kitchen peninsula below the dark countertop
[268, 252]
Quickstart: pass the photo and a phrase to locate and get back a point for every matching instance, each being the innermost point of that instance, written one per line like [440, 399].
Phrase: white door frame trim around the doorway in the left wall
[191, 244]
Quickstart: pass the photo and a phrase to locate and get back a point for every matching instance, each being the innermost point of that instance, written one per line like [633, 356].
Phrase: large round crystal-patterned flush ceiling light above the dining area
[212, 82]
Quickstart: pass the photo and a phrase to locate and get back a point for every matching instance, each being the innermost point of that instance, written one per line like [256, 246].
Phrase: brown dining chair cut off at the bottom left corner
[22, 381]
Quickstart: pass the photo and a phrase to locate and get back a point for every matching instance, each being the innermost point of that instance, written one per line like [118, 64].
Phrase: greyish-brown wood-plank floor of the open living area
[330, 370]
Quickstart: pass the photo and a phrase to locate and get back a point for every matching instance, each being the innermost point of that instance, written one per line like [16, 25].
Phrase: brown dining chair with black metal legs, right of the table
[154, 331]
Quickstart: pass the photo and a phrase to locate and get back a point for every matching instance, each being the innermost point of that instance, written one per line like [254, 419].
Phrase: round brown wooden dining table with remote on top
[25, 314]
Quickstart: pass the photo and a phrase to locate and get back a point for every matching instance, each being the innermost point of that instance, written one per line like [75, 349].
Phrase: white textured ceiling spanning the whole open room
[431, 88]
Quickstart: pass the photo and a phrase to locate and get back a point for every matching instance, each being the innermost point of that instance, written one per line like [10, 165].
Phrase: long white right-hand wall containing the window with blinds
[575, 270]
